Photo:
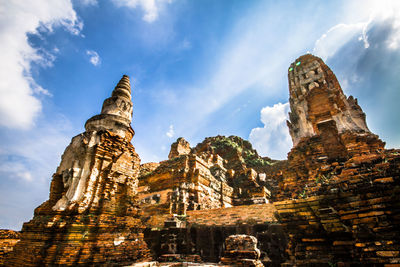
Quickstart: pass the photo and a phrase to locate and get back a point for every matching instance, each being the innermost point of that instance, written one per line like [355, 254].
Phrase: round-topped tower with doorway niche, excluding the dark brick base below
[320, 109]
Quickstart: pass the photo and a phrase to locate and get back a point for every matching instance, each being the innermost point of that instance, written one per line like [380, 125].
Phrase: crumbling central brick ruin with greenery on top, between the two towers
[212, 175]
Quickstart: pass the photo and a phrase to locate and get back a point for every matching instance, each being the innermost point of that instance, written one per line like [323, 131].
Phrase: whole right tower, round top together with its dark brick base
[337, 188]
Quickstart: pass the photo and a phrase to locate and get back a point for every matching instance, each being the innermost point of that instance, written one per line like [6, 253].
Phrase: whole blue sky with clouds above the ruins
[197, 68]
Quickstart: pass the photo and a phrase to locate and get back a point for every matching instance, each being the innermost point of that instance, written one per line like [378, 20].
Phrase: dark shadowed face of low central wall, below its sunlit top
[208, 241]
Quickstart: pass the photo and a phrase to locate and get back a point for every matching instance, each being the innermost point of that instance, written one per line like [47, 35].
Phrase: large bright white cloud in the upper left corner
[20, 103]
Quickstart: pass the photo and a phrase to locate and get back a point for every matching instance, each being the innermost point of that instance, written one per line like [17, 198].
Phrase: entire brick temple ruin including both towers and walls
[334, 202]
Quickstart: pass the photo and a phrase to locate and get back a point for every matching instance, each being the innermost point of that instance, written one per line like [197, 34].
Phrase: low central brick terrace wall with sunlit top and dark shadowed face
[206, 231]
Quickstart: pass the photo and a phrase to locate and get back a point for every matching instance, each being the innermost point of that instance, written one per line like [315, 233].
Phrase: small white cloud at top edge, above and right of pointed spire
[151, 8]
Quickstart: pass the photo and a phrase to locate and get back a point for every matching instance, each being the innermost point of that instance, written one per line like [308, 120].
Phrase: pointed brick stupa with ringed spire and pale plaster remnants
[91, 217]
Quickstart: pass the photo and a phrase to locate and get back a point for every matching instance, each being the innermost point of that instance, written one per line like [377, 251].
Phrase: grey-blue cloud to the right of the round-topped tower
[369, 75]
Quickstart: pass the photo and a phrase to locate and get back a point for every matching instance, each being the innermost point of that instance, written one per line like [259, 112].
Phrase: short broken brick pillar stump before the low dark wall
[241, 250]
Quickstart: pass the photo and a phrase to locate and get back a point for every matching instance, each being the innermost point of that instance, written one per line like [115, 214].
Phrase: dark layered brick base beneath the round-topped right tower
[352, 218]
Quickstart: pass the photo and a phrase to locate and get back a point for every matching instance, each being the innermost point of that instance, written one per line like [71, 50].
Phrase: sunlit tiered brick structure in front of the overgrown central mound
[186, 182]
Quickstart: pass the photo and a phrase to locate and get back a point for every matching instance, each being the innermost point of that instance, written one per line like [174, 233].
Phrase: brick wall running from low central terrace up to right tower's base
[350, 219]
